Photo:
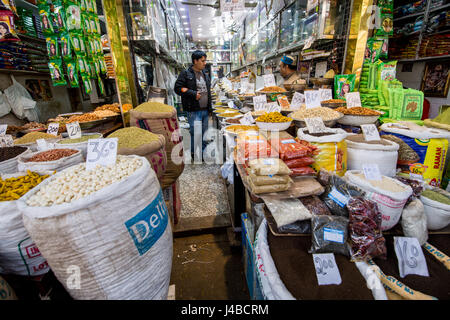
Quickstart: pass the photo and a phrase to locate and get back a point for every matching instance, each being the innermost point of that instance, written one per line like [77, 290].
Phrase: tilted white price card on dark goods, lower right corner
[410, 257]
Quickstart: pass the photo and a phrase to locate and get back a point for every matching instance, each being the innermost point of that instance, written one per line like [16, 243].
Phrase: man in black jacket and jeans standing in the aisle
[194, 87]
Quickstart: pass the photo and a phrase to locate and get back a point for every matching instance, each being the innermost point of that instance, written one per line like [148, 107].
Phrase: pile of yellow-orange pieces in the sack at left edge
[14, 188]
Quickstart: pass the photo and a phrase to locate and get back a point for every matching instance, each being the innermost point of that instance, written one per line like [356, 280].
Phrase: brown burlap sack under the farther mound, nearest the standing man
[165, 123]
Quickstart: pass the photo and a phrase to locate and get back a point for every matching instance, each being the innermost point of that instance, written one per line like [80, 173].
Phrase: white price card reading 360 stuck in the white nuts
[101, 152]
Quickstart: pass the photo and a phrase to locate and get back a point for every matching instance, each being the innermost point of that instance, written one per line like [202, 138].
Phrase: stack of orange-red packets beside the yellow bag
[296, 154]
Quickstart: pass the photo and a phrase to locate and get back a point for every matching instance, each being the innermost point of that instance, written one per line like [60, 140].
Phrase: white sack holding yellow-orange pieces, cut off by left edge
[18, 253]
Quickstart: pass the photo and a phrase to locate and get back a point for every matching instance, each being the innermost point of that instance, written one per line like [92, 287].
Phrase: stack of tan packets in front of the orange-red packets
[266, 175]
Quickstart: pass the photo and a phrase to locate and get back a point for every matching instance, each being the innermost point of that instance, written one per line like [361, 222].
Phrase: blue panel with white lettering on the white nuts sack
[148, 225]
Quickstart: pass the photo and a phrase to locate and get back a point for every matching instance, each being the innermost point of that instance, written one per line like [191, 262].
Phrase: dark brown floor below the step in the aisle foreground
[206, 267]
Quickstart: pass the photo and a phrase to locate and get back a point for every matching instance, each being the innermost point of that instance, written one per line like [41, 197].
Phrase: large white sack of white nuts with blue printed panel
[106, 235]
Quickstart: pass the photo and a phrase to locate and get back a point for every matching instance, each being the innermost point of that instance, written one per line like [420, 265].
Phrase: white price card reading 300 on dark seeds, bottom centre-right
[327, 271]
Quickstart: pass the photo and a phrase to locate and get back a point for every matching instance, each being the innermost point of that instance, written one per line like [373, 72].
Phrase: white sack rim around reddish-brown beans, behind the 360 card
[58, 165]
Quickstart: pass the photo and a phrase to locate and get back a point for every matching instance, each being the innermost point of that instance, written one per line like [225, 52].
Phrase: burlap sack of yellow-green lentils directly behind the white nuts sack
[155, 152]
